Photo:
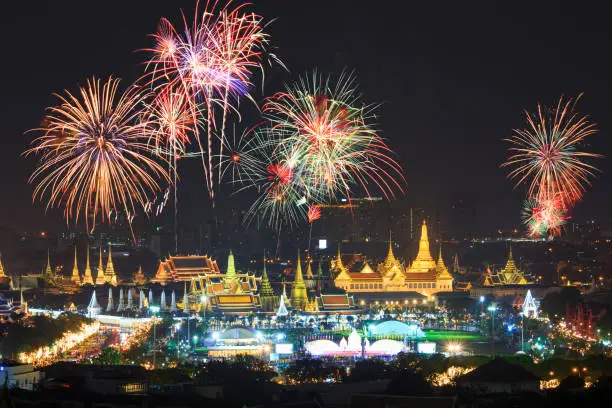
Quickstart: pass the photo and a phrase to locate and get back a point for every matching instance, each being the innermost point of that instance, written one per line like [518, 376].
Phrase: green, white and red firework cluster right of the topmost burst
[317, 145]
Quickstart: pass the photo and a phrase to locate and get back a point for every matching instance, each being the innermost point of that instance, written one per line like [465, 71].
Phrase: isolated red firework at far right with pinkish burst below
[546, 156]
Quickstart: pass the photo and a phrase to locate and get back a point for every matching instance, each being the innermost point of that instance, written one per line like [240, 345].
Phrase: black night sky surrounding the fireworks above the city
[452, 82]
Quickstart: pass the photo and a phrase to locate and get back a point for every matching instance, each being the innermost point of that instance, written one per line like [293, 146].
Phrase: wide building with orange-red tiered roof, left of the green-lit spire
[184, 268]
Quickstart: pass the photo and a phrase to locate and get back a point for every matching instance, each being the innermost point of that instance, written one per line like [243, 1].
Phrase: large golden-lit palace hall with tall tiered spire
[424, 275]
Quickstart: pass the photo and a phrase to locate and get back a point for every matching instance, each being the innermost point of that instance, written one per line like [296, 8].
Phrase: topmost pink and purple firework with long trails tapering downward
[211, 61]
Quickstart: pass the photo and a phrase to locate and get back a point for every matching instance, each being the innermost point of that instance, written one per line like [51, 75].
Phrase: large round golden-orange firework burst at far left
[94, 155]
